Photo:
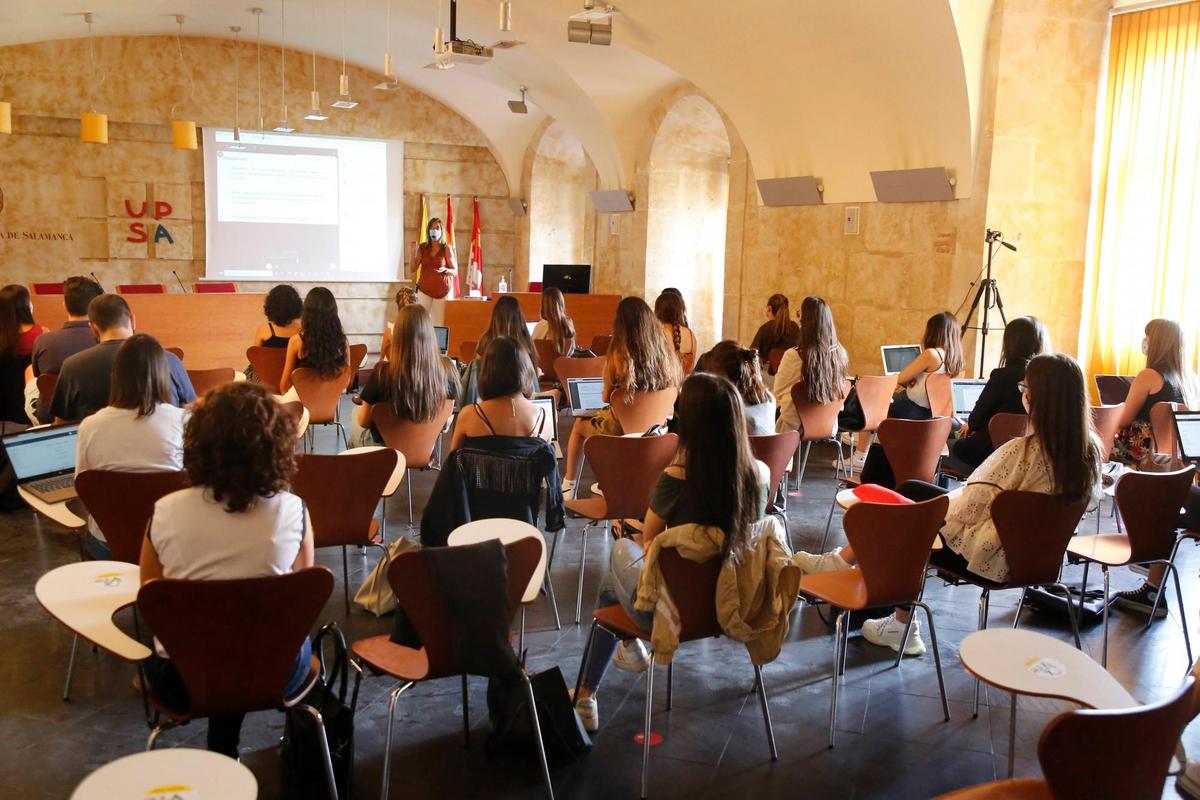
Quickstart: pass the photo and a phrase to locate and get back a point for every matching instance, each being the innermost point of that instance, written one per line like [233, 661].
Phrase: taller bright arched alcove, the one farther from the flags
[688, 199]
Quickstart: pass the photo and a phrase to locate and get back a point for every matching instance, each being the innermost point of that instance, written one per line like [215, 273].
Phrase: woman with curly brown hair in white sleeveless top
[237, 521]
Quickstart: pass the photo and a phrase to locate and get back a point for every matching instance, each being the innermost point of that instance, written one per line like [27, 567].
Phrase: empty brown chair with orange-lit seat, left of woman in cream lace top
[892, 544]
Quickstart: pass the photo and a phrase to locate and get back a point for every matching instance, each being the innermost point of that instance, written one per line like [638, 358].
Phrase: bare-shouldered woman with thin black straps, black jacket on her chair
[503, 410]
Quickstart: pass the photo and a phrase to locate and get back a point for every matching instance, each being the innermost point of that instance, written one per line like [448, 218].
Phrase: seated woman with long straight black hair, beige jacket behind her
[715, 480]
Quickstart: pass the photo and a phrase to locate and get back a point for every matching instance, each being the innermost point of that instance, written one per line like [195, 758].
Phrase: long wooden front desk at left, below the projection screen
[214, 330]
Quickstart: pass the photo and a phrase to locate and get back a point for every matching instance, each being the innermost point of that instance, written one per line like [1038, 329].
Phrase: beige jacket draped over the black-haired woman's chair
[755, 593]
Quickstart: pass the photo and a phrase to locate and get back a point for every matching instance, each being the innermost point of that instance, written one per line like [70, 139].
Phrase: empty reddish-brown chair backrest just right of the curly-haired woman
[343, 492]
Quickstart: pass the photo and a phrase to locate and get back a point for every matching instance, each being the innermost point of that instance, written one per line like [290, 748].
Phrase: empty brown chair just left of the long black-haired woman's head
[626, 468]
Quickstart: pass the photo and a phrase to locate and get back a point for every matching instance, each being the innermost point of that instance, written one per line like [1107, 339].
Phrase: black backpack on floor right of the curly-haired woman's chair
[304, 762]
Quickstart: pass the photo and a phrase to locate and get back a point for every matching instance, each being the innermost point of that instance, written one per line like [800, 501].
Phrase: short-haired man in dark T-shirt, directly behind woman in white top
[86, 378]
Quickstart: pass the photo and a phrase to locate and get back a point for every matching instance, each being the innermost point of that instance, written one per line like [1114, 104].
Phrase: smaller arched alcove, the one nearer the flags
[562, 227]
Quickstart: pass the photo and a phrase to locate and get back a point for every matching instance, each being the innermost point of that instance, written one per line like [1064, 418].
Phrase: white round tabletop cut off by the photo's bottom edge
[171, 774]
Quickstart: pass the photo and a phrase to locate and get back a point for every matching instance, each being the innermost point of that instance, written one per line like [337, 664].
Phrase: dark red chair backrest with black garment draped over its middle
[412, 579]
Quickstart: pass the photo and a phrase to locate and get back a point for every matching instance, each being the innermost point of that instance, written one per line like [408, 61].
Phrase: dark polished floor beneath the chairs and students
[892, 741]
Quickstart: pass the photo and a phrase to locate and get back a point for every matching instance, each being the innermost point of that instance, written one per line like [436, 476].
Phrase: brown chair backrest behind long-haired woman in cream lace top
[1035, 531]
